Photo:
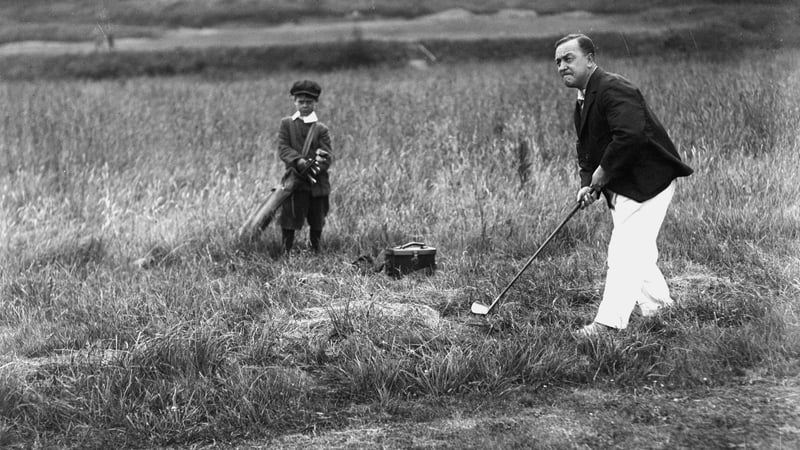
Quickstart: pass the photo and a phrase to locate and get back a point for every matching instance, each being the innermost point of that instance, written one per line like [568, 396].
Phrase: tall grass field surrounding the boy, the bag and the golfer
[207, 341]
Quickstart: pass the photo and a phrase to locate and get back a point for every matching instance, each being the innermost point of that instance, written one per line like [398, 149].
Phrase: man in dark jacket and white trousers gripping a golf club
[625, 154]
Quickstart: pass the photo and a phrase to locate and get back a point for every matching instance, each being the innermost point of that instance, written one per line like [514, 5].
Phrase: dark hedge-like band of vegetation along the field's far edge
[223, 61]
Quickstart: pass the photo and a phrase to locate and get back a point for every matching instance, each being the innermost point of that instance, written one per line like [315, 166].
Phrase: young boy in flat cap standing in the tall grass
[307, 163]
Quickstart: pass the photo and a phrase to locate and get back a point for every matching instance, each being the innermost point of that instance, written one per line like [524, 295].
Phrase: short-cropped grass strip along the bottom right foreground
[760, 415]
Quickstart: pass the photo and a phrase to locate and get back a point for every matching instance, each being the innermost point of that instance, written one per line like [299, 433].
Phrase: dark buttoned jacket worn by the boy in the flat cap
[291, 137]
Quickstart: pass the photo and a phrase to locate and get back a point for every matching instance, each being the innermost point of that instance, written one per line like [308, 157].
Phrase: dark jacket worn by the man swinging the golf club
[617, 130]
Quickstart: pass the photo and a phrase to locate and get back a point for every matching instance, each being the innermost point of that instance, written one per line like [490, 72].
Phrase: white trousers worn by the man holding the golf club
[633, 276]
